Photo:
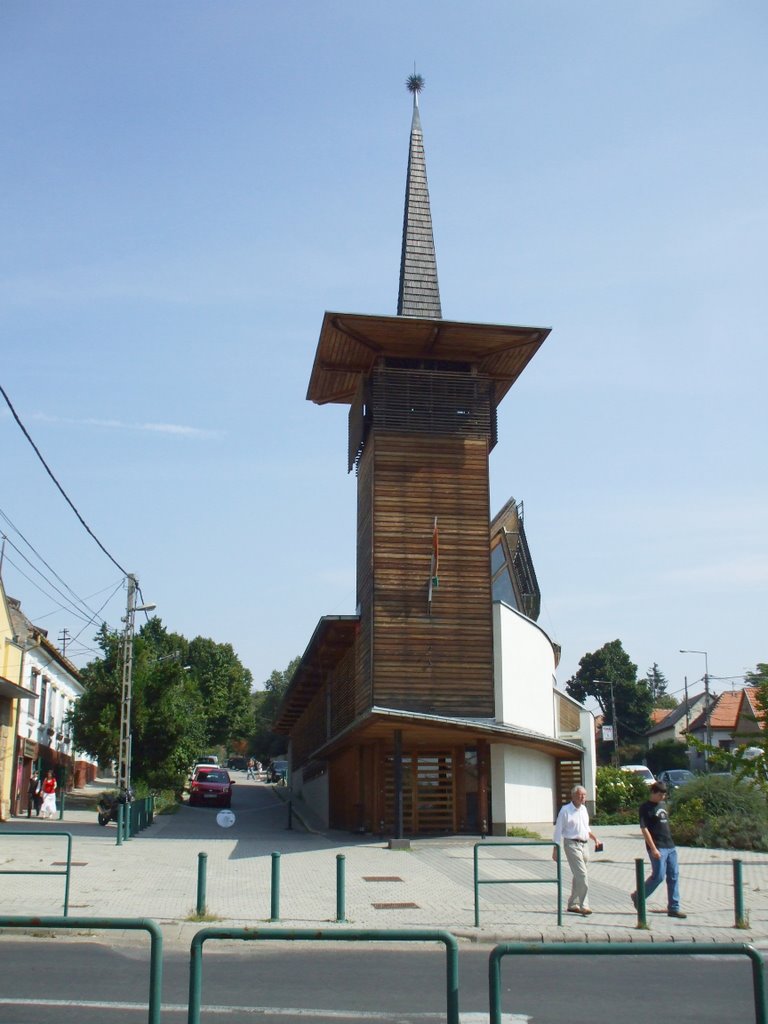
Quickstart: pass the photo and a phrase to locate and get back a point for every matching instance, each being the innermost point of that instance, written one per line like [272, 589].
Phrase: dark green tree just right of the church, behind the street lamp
[612, 665]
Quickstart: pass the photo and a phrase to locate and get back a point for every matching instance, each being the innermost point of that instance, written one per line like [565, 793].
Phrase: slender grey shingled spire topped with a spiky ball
[420, 293]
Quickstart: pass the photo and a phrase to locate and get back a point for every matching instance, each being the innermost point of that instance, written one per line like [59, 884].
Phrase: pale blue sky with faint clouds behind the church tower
[188, 187]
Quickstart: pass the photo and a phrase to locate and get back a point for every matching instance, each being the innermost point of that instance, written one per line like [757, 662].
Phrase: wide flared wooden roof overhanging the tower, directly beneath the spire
[351, 345]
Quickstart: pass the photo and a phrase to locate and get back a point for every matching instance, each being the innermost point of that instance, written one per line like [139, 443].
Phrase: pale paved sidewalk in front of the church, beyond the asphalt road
[155, 876]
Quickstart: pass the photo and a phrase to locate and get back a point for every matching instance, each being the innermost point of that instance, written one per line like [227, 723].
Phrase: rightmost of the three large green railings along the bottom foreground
[625, 950]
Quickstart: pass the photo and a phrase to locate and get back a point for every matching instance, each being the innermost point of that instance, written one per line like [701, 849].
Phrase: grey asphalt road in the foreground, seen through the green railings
[70, 983]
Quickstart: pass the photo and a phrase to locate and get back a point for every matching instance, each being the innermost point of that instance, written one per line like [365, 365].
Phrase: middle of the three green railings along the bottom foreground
[331, 935]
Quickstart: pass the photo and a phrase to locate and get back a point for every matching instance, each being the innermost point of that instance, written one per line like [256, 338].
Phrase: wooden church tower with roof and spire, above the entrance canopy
[423, 396]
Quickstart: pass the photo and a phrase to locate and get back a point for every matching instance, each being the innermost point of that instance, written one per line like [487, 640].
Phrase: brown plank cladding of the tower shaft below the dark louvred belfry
[440, 663]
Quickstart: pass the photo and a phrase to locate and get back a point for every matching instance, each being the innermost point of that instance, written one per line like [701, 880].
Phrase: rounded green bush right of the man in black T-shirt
[721, 814]
